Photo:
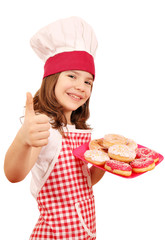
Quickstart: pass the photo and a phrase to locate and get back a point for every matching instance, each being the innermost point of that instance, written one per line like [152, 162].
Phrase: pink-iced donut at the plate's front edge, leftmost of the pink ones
[118, 167]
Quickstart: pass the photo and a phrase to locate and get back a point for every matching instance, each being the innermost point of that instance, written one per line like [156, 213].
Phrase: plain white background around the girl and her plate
[128, 98]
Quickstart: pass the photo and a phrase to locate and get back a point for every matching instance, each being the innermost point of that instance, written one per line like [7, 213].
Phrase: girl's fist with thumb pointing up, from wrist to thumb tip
[35, 128]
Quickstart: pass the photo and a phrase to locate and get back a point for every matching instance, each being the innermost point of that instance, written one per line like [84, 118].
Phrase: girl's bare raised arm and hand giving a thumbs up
[23, 152]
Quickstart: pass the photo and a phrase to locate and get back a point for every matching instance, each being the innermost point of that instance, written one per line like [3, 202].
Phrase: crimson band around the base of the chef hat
[65, 61]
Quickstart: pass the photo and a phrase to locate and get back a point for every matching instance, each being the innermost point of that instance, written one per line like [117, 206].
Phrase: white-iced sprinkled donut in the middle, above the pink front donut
[121, 152]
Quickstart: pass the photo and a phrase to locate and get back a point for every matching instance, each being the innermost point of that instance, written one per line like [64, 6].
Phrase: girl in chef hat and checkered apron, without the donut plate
[55, 124]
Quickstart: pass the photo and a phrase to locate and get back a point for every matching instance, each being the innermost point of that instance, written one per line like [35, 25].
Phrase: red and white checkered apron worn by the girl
[66, 201]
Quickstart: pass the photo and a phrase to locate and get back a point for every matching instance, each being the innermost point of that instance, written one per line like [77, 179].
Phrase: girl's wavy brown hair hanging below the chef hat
[45, 102]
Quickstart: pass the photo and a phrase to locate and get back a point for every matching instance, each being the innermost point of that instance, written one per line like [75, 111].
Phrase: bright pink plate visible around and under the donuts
[79, 153]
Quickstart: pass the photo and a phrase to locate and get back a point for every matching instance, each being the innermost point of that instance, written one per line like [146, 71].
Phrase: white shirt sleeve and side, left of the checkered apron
[46, 161]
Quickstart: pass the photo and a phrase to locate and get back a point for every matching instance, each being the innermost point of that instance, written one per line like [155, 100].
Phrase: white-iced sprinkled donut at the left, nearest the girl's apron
[96, 157]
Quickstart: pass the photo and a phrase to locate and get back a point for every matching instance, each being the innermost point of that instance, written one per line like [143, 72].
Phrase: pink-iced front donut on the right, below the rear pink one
[142, 164]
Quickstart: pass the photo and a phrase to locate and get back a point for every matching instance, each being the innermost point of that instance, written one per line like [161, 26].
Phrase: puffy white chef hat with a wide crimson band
[67, 44]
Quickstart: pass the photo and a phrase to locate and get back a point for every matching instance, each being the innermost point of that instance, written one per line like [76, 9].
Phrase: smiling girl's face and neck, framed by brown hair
[73, 89]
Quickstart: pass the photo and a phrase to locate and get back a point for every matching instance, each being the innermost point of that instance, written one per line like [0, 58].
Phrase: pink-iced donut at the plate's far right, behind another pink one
[143, 152]
